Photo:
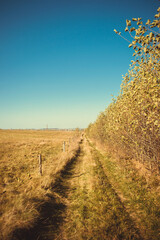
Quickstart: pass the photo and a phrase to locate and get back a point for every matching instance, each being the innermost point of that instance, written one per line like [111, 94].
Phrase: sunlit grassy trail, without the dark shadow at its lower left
[94, 210]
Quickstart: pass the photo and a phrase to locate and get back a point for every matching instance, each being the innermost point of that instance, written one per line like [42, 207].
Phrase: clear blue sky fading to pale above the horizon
[60, 60]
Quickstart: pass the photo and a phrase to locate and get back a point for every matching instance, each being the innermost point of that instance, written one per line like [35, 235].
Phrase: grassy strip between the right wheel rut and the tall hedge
[137, 188]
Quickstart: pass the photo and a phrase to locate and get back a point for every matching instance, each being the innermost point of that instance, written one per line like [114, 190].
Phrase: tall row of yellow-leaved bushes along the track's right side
[131, 124]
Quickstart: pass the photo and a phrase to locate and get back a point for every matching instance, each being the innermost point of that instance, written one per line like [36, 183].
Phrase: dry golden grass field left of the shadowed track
[22, 188]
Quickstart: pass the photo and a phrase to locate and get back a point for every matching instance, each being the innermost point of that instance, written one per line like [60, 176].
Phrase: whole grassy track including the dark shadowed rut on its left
[83, 204]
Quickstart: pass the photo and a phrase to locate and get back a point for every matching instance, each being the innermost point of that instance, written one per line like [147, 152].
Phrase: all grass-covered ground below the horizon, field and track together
[83, 193]
